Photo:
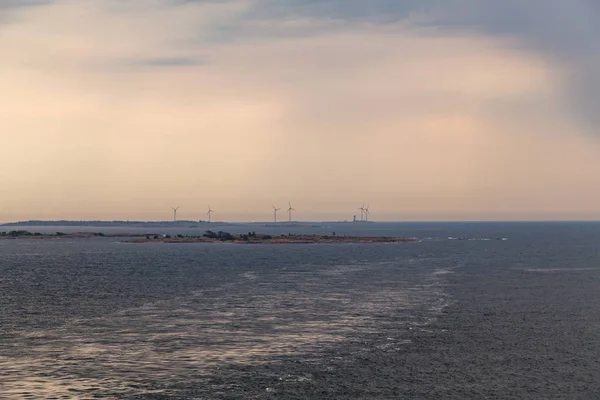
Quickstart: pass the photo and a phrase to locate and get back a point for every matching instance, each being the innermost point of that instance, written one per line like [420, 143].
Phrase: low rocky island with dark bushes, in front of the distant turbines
[255, 238]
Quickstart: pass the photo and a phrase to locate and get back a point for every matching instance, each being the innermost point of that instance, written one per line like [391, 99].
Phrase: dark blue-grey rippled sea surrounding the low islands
[438, 318]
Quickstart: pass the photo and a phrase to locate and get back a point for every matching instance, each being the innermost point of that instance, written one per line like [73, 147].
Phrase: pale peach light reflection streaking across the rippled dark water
[254, 318]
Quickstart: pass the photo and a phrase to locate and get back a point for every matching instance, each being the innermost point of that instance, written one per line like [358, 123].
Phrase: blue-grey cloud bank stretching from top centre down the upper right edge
[567, 33]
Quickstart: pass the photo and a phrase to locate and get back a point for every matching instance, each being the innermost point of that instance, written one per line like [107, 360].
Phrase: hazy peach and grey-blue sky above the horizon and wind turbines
[424, 109]
